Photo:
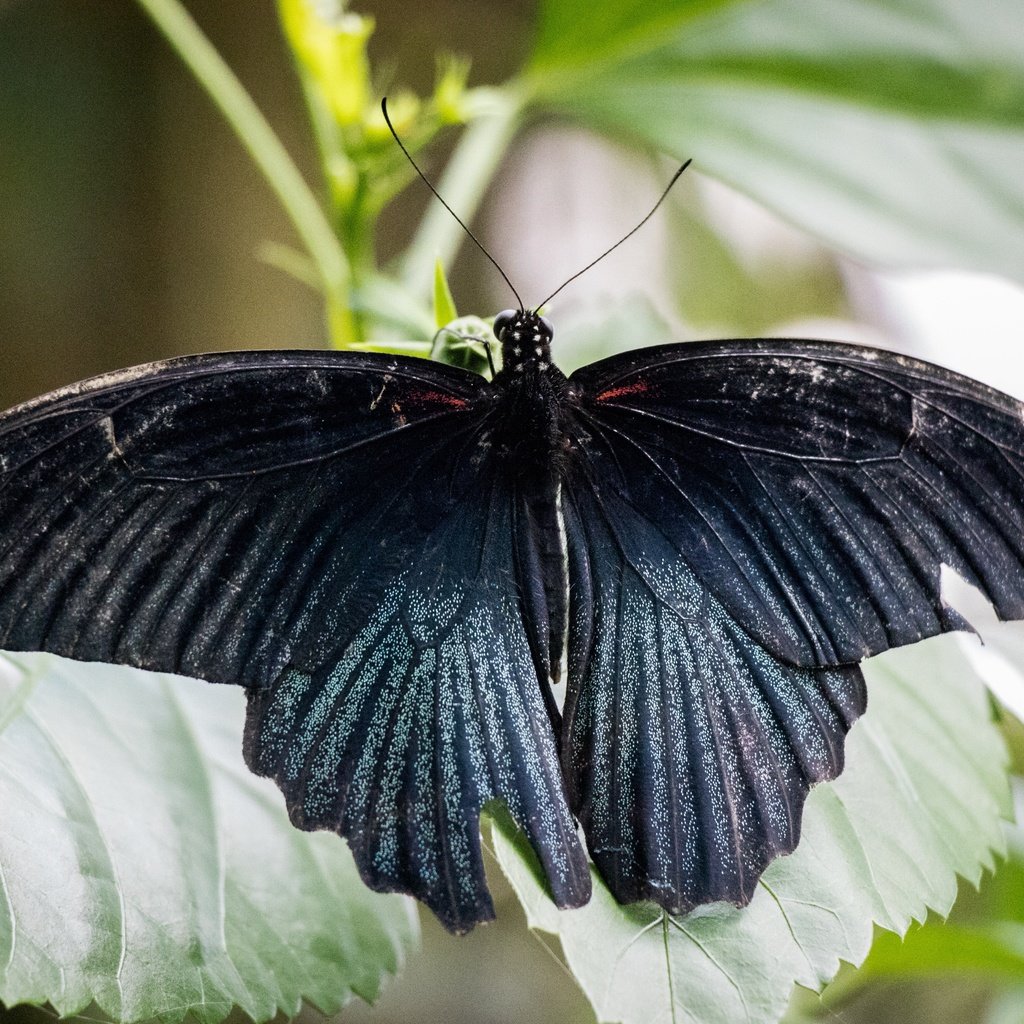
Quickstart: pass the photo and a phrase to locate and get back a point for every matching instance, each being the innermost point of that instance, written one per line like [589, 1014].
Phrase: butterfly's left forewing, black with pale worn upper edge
[195, 504]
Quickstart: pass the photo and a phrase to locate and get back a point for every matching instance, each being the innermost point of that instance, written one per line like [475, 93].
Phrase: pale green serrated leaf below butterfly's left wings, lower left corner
[145, 869]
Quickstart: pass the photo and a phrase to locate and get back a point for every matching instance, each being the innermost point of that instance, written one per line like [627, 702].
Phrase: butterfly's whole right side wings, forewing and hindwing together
[746, 522]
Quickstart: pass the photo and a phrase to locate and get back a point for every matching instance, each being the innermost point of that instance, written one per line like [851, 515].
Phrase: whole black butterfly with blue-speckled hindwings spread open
[393, 557]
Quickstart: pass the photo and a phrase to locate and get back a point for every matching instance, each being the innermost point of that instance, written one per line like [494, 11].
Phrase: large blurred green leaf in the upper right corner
[894, 132]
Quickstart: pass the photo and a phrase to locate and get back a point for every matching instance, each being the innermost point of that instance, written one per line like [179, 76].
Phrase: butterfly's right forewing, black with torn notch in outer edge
[818, 489]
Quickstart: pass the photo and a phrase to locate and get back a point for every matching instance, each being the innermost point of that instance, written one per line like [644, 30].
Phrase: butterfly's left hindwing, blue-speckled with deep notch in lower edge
[433, 711]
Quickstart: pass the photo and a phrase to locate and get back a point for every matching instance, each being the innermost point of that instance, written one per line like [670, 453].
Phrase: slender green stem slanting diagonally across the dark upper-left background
[270, 155]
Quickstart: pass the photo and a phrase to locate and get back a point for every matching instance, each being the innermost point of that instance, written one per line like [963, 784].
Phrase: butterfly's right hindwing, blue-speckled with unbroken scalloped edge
[689, 750]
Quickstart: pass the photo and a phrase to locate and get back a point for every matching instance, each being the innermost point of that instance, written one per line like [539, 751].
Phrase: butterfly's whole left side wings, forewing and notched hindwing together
[331, 532]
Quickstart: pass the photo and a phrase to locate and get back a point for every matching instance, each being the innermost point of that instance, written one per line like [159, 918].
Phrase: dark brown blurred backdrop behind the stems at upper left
[132, 219]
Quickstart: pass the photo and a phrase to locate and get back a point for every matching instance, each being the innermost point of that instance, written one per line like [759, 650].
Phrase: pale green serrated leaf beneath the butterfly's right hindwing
[921, 802]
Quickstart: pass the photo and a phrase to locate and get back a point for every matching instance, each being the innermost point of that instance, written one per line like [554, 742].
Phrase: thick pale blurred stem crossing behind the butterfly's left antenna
[463, 185]
